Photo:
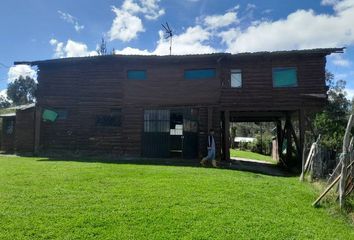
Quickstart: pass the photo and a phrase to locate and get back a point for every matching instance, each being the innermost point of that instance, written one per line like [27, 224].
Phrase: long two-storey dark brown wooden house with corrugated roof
[163, 106]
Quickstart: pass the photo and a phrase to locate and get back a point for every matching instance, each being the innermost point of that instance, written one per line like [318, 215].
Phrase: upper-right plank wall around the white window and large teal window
[257, 92]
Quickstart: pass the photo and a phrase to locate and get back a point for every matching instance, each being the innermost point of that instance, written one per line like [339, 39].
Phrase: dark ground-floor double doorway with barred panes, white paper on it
[170, 133]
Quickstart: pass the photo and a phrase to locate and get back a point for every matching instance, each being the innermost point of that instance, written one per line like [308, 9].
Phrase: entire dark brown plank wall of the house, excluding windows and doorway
[87, 88]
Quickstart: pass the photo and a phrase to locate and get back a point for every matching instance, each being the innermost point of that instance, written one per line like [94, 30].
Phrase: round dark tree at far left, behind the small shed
[22, 91]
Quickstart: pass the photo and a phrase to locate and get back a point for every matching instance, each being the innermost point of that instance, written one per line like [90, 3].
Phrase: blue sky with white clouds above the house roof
[39, 29]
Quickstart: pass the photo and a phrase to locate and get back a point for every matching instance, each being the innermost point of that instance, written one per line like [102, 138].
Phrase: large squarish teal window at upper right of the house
[285, 77]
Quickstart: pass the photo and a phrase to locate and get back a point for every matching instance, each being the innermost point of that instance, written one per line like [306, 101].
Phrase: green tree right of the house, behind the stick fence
[331, 122]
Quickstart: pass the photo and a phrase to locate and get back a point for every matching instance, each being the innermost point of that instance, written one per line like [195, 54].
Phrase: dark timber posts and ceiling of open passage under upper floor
[289, 132]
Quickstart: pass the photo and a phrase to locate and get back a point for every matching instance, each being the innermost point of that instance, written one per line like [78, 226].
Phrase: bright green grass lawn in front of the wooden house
[41, 199]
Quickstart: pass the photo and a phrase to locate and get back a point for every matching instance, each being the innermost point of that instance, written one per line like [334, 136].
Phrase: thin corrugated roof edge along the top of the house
[318, 51]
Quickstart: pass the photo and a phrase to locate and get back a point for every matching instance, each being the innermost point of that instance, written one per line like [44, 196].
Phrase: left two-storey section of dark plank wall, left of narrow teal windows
[85, 92]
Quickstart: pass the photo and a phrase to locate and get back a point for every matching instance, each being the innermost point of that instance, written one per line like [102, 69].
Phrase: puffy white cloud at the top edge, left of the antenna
[127, 25]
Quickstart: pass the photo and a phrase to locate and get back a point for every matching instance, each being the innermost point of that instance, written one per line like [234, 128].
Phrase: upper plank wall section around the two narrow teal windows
[165, 84]
